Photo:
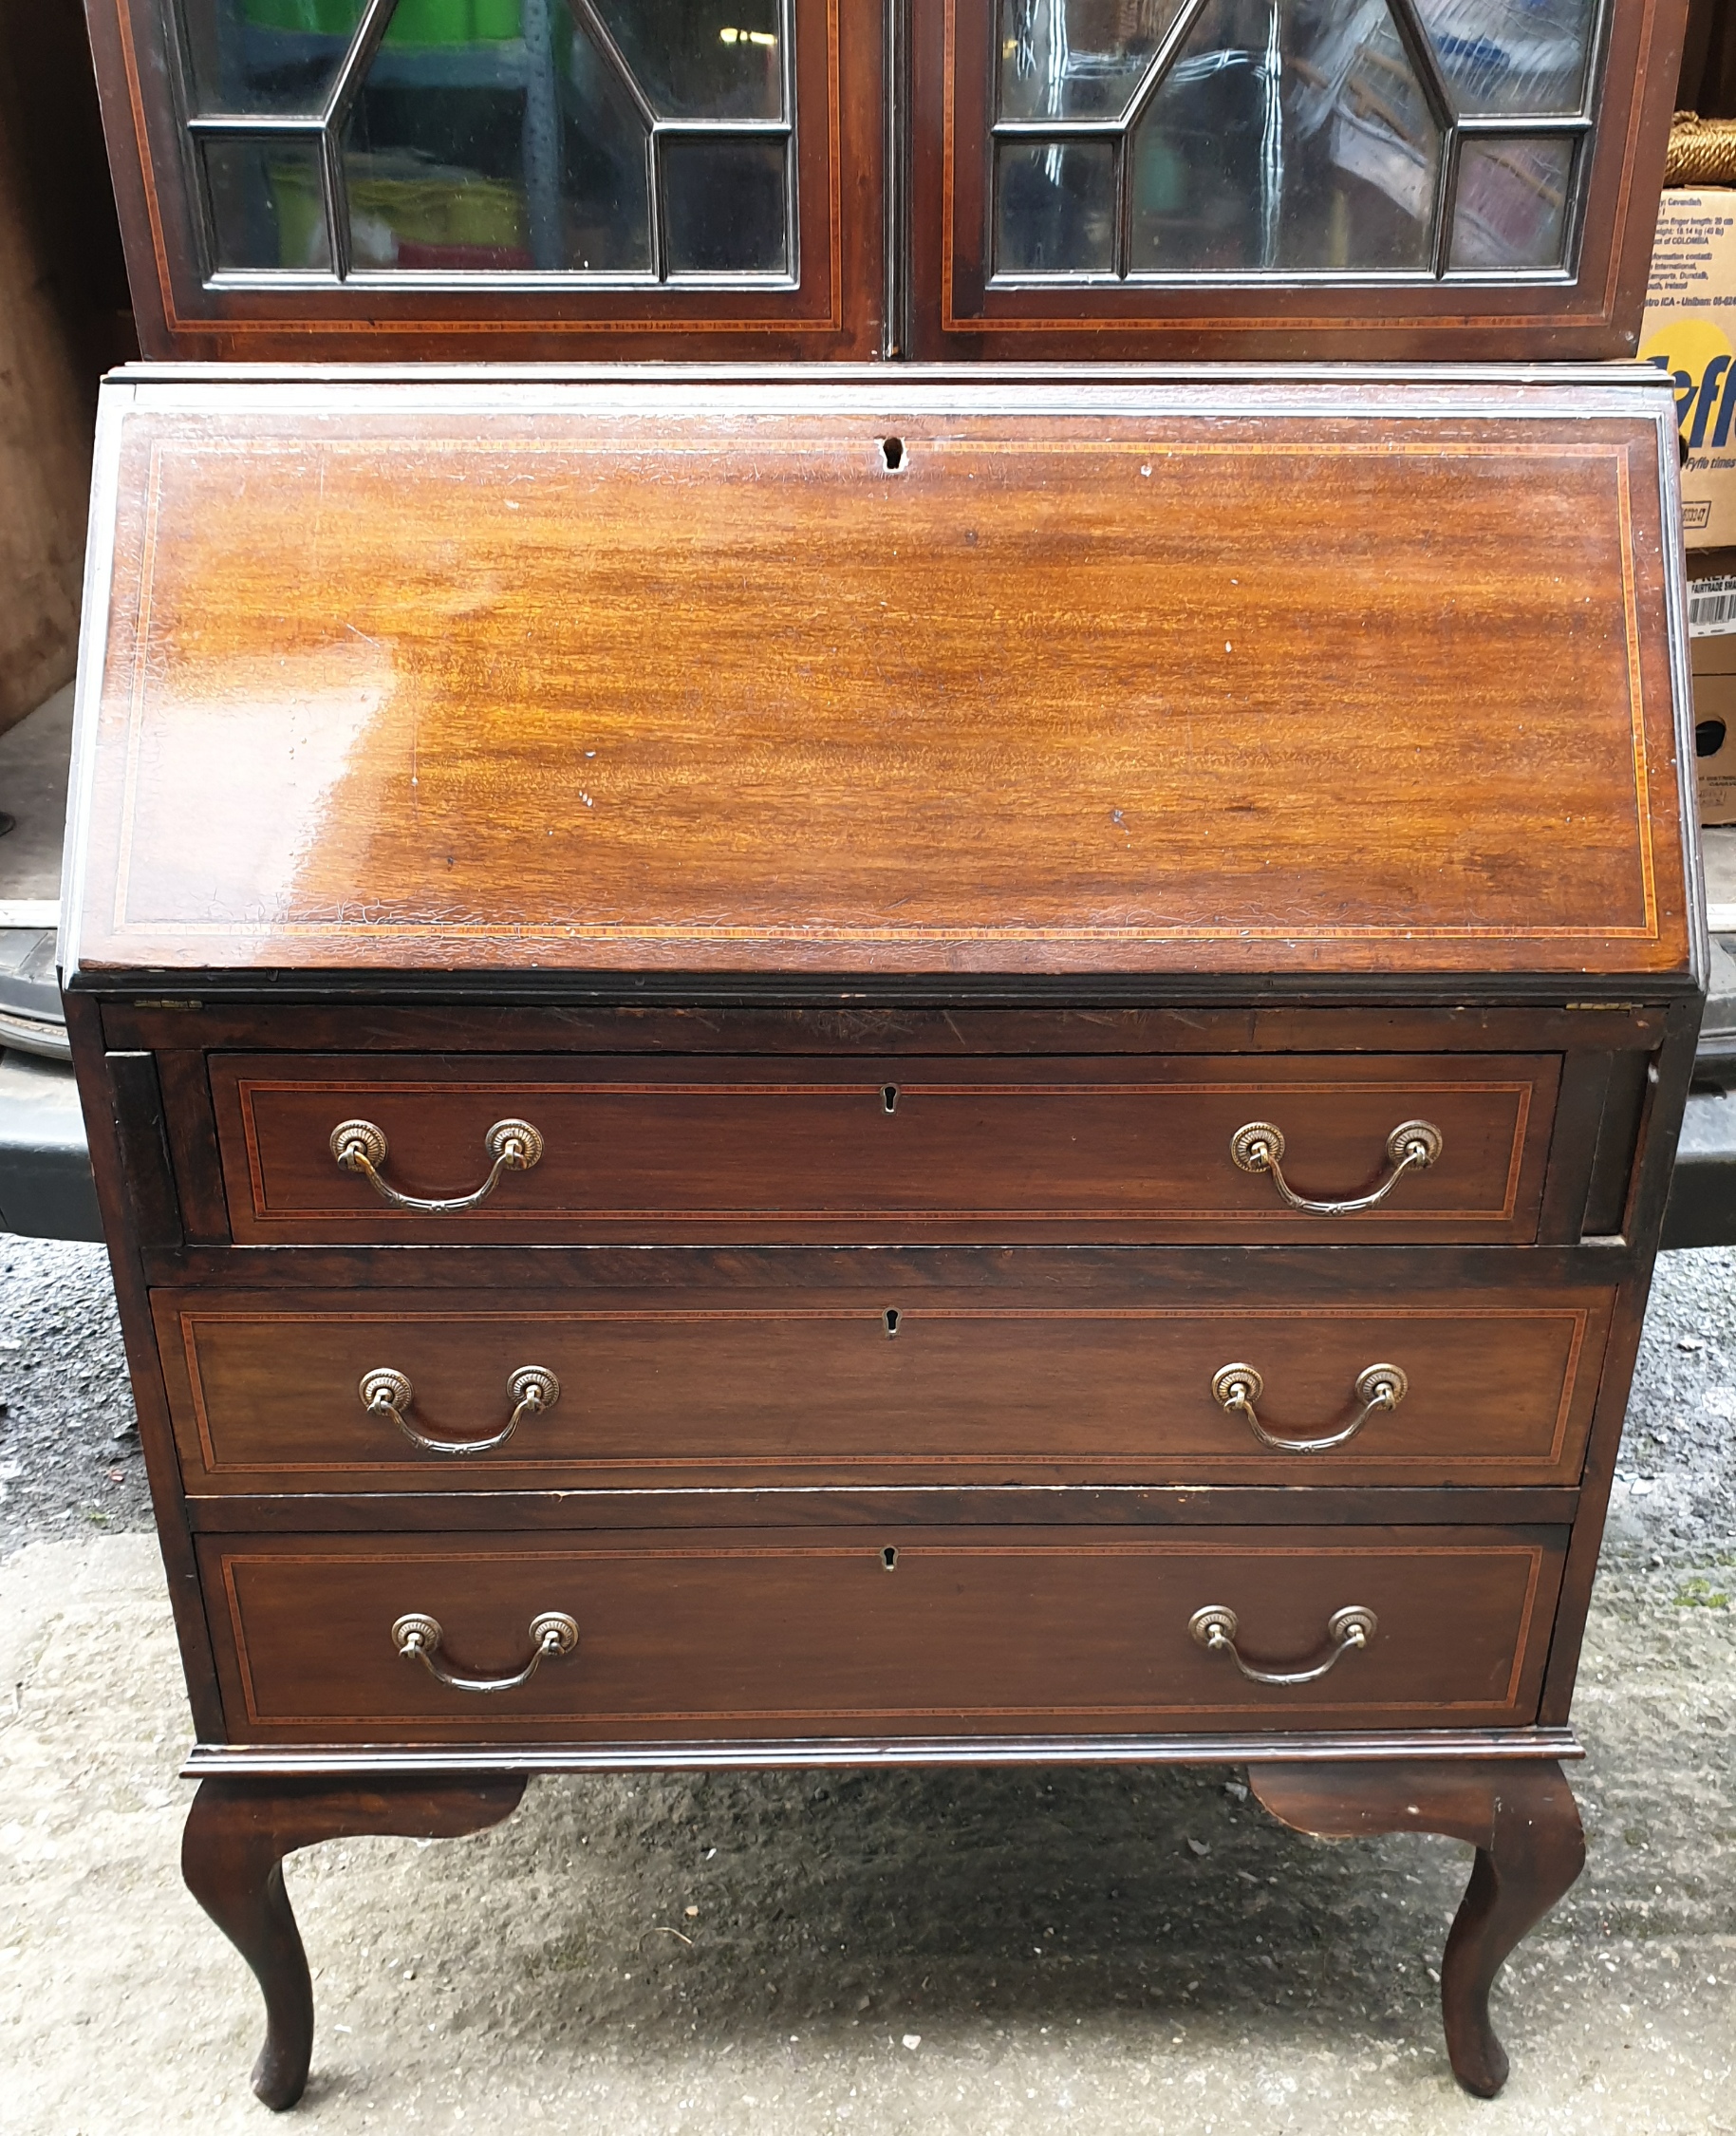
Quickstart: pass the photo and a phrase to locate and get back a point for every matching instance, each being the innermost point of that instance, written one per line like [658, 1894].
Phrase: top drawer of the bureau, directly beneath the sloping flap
[857, 1150]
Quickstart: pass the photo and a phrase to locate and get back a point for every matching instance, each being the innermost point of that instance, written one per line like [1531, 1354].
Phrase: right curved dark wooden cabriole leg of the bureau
[1519, 1817]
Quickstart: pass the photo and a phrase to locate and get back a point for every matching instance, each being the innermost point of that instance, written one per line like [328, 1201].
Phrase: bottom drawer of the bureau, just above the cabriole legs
[887, 1633]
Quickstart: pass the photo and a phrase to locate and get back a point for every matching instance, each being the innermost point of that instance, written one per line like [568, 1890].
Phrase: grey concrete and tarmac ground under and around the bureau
[949, 1953]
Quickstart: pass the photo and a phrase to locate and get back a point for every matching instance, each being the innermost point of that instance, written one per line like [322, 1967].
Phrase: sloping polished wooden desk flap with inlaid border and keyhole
[881, 676]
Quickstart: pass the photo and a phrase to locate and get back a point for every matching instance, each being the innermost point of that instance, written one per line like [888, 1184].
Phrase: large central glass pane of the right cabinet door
[1287, 138]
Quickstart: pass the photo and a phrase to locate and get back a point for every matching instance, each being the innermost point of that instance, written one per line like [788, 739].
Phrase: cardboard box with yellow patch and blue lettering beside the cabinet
[1688, 332]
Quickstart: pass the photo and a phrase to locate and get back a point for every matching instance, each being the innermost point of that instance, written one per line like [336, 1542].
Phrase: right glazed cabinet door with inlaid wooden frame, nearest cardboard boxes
[1287, 178]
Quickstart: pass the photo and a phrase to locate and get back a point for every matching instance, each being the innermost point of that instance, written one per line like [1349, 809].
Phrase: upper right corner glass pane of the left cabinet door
[704, 59]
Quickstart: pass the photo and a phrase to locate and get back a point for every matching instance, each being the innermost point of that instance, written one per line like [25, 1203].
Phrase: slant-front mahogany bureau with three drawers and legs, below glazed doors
[874, 1069]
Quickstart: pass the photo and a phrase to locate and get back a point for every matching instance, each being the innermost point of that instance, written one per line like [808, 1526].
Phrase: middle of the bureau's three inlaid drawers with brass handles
[985, 1385]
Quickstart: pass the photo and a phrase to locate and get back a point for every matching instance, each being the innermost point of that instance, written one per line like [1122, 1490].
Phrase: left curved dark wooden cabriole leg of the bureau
[234, 1849]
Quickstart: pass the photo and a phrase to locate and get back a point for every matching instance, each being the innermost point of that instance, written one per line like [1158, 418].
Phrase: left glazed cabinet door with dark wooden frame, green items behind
[482, 178]
